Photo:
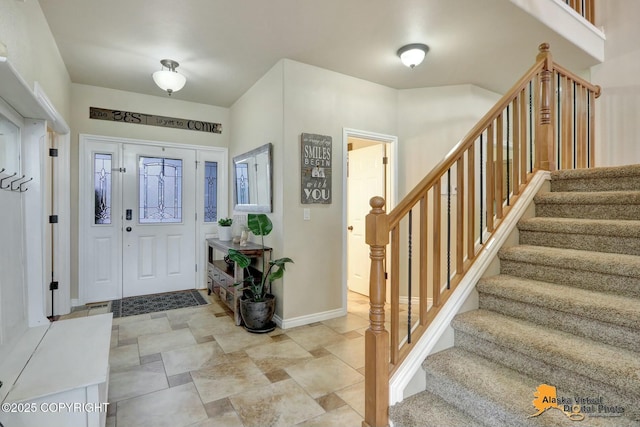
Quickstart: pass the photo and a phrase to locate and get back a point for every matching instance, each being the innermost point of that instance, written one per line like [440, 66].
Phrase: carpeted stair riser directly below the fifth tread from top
[598, 330]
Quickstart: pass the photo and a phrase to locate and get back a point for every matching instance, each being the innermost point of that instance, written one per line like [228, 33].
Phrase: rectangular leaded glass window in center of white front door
[160, 182]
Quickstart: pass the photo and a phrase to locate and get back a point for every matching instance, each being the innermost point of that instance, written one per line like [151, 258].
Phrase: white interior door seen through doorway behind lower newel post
[366, 179]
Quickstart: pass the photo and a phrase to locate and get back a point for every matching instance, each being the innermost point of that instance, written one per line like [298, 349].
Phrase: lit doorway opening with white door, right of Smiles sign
[370, 170]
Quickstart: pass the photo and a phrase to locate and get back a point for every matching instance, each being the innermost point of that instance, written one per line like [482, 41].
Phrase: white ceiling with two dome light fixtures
[225, 46]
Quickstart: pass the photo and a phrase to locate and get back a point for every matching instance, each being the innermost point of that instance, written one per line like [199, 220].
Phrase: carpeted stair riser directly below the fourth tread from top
[620, 285]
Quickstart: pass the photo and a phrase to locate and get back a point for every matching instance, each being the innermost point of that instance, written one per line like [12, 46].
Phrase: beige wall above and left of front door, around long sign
[83, 97]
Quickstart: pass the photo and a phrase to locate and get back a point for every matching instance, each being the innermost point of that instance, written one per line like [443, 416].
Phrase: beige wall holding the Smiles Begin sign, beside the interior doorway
[295, 98]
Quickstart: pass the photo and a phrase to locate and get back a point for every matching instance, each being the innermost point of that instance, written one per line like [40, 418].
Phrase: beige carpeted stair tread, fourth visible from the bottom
[608, 308]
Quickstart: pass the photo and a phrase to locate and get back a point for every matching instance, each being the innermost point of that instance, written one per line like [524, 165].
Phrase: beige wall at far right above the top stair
[617, 127]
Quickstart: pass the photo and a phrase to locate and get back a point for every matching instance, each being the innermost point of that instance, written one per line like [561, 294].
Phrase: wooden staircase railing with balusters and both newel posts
[437, 230]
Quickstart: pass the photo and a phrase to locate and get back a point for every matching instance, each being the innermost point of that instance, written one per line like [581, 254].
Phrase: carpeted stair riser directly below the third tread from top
[609, 244]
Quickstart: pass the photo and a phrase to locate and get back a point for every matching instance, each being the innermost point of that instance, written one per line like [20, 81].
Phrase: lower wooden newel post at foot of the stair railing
[376, 382]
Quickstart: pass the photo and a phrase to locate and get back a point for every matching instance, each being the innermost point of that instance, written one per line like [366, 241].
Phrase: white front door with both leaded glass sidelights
[139, 232]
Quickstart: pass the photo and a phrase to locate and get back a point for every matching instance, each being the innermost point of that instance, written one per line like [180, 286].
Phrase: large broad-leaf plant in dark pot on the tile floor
[257, 305]
